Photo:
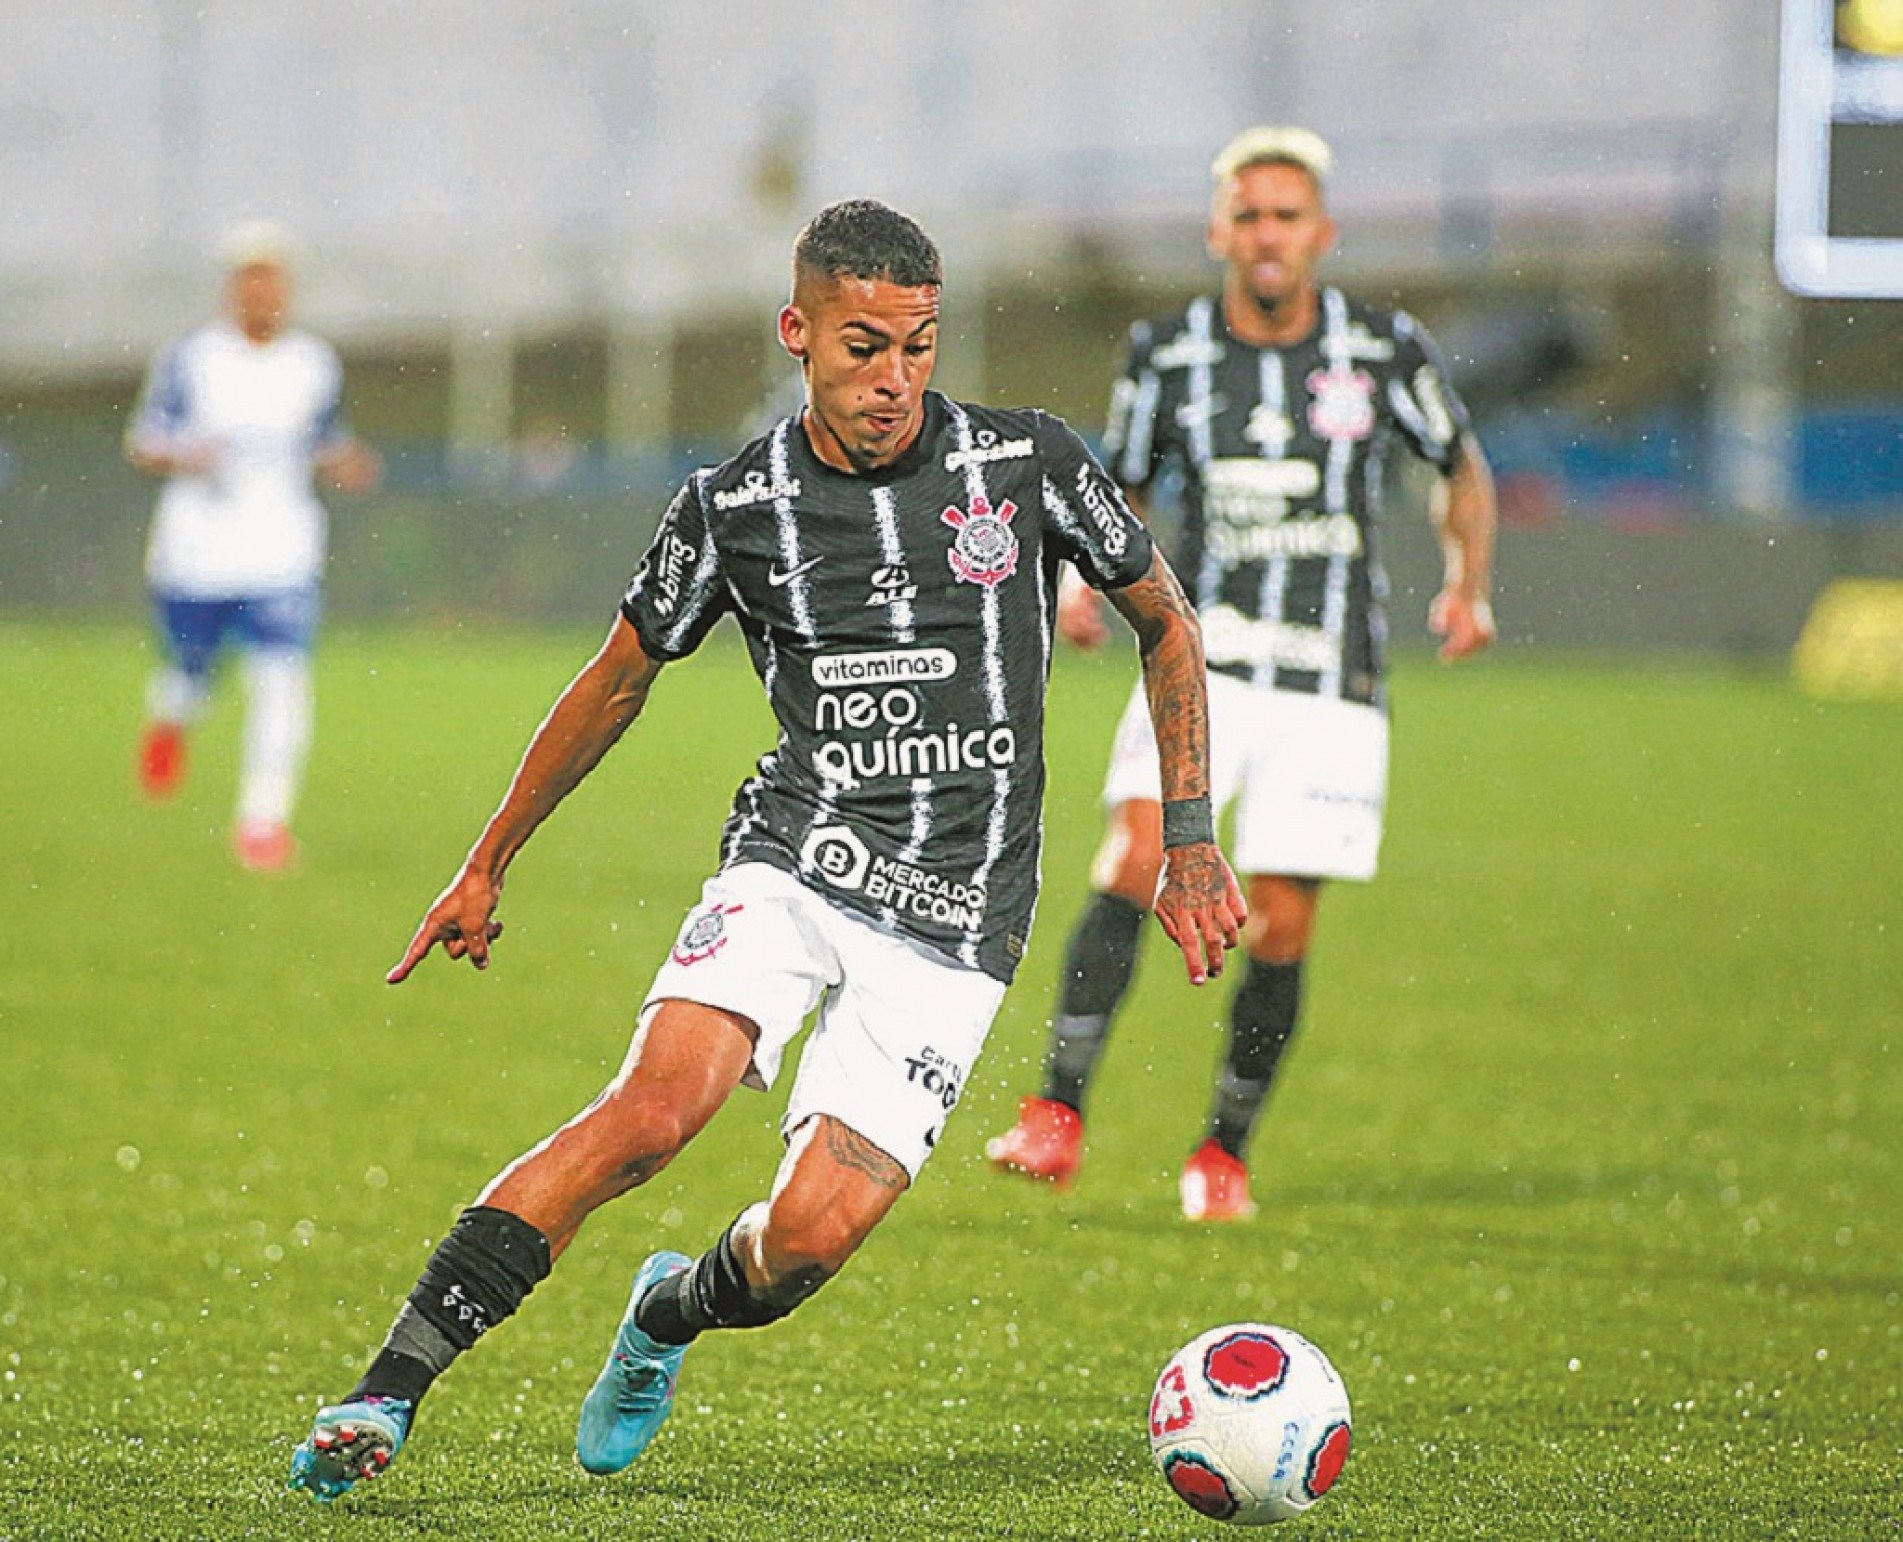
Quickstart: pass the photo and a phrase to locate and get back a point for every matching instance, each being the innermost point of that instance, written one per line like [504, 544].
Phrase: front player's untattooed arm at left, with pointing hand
[583, 726]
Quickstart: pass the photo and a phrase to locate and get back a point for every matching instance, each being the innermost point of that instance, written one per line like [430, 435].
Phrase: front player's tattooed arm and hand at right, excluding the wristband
[1198, 901]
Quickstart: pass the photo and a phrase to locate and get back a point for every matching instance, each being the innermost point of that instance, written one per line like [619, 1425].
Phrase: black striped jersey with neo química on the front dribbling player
[901, 623]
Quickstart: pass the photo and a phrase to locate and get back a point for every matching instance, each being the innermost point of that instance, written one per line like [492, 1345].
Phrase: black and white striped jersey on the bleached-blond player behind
[1284, 456]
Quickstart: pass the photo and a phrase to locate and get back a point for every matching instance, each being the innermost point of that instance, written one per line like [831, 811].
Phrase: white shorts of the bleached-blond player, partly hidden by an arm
[1308, 776]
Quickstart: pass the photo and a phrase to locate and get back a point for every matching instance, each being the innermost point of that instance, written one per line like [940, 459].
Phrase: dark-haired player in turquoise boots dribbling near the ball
[892, 559]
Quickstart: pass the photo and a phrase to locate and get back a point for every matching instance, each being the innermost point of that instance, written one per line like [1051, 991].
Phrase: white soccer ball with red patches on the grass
[1249, 1425]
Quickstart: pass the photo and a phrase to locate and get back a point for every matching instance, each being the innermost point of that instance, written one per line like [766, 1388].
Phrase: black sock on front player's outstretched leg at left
[477, 1278]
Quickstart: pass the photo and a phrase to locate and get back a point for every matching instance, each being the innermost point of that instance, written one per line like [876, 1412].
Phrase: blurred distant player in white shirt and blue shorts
[239, 418]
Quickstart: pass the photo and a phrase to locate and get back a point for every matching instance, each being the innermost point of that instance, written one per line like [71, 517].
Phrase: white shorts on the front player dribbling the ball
[899, 1031]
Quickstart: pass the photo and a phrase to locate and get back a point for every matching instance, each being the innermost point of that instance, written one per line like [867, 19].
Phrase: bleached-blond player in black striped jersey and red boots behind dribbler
[1278, 403]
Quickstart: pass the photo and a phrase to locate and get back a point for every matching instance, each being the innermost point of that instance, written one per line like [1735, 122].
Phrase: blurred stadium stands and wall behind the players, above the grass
[551, 241]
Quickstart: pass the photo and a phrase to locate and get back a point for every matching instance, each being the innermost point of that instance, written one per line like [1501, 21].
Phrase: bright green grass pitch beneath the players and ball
[1584, 1170]
